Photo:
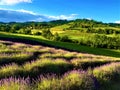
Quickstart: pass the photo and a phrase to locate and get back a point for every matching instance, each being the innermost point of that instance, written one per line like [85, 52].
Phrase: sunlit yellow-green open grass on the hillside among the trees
[76, 34]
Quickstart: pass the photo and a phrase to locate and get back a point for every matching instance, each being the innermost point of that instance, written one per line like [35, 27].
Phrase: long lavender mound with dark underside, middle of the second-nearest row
[47, 66]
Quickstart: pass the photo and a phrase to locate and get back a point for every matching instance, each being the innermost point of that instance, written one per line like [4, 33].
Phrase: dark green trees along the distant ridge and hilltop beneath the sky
[85, 24]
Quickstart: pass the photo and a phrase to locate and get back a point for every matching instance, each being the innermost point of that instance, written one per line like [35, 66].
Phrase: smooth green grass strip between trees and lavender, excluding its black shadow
[65, 45]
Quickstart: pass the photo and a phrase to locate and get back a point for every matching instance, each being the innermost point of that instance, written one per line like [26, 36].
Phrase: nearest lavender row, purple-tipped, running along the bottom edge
[72, 80]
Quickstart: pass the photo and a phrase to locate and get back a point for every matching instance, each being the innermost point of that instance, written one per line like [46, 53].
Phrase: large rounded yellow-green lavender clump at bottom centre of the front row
[74, 80]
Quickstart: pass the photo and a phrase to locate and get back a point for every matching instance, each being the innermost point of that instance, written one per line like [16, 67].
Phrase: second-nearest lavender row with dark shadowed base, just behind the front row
[46, 66]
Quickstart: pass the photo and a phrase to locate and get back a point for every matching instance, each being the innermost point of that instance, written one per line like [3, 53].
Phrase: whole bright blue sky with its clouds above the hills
[107, 11]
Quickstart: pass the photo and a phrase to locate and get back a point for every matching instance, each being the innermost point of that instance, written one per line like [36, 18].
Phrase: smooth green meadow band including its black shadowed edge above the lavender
[35, 39]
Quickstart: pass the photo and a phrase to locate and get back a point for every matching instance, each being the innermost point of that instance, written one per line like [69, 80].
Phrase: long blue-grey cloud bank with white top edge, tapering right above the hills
[24, 15]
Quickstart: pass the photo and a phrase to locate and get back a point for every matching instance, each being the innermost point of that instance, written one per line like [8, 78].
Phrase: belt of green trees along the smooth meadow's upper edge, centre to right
[96, 40]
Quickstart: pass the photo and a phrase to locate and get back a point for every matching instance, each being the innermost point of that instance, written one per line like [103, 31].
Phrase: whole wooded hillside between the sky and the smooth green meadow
[103, 35]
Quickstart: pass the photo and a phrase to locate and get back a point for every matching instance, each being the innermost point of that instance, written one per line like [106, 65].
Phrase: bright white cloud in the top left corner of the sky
[13, 2]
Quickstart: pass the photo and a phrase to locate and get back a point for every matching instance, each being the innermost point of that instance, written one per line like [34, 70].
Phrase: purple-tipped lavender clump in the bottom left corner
[14, 84]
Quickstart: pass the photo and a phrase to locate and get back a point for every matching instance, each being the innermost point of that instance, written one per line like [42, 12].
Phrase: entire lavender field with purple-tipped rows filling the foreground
[36, 67]
